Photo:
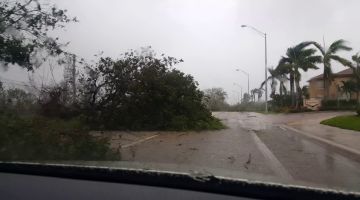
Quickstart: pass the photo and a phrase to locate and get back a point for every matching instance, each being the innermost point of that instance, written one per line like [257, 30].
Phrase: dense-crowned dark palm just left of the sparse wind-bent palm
[298, 57]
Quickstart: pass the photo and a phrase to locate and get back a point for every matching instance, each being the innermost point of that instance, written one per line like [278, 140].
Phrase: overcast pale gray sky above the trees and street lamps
[207, 34]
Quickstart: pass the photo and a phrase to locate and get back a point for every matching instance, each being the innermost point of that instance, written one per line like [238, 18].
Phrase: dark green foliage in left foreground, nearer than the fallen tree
[40, 138]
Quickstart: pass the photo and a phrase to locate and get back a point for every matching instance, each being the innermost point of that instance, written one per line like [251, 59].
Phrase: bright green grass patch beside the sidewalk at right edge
[351, 122]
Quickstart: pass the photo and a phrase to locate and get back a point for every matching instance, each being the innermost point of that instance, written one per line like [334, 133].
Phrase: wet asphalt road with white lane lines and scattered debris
[255, 147]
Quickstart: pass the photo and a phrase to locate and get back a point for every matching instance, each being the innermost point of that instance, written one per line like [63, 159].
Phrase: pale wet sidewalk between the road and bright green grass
[346, 138]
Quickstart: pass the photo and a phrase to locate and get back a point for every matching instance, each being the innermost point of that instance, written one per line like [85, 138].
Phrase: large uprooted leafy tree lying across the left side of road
[141, 91]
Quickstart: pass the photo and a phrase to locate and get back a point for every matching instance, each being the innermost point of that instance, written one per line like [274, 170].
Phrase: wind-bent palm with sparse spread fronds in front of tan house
[329, 55]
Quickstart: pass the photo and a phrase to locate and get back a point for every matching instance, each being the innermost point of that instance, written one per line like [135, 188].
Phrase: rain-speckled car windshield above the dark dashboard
[258, 90]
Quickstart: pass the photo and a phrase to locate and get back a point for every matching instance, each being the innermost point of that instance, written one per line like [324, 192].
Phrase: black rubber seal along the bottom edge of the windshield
[187, 181]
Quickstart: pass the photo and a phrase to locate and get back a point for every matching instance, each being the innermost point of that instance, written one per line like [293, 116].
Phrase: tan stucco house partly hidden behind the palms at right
[316, 88]
